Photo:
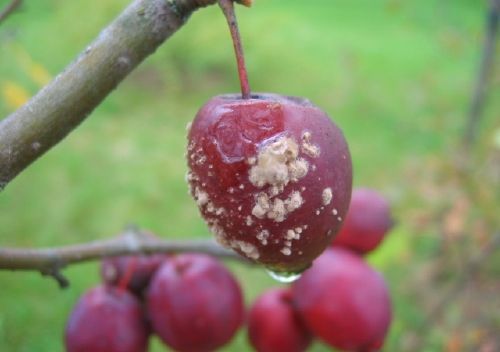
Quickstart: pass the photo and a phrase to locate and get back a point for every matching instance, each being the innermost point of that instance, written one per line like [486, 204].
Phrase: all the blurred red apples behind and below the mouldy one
[193, 303]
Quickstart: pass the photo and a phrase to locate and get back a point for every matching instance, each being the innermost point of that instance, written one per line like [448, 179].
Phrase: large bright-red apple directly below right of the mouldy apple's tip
[344, 301]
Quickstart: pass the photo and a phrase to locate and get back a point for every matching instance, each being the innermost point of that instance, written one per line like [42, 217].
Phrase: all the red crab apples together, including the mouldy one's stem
[272, 177]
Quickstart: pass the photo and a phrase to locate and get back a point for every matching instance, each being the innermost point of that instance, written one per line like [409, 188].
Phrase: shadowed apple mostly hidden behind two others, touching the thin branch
[134, 272]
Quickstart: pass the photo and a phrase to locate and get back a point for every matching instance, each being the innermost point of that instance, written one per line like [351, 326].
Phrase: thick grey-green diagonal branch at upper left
[66, 101]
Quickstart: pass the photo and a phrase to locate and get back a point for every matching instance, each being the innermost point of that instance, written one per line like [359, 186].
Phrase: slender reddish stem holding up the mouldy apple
[227, 7]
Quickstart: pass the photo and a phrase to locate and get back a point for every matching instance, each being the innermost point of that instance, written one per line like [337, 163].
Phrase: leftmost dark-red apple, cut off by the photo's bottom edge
[107, 319]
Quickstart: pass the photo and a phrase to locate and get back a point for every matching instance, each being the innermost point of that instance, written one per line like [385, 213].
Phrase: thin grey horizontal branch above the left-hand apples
[50, 260]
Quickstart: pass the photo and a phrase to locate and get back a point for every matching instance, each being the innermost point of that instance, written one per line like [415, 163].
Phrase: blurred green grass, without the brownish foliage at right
[395, 75]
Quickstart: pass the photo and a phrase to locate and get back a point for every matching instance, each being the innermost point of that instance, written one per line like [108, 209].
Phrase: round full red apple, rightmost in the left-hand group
[194, 303]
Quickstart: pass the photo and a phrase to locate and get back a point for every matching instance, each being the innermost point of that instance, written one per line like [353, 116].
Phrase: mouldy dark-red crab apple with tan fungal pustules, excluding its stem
[271, 175]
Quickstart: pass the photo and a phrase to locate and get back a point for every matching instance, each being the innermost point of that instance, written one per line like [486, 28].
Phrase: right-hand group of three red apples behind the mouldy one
[340, 299]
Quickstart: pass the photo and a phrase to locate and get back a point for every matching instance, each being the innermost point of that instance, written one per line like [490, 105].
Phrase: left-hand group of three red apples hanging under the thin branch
[190, 301]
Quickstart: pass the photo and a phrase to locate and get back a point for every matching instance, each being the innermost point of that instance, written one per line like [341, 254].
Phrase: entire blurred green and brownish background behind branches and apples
[396, 75]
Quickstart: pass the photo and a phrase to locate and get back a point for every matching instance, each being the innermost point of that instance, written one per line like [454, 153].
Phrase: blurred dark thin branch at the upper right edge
[484, 73]
